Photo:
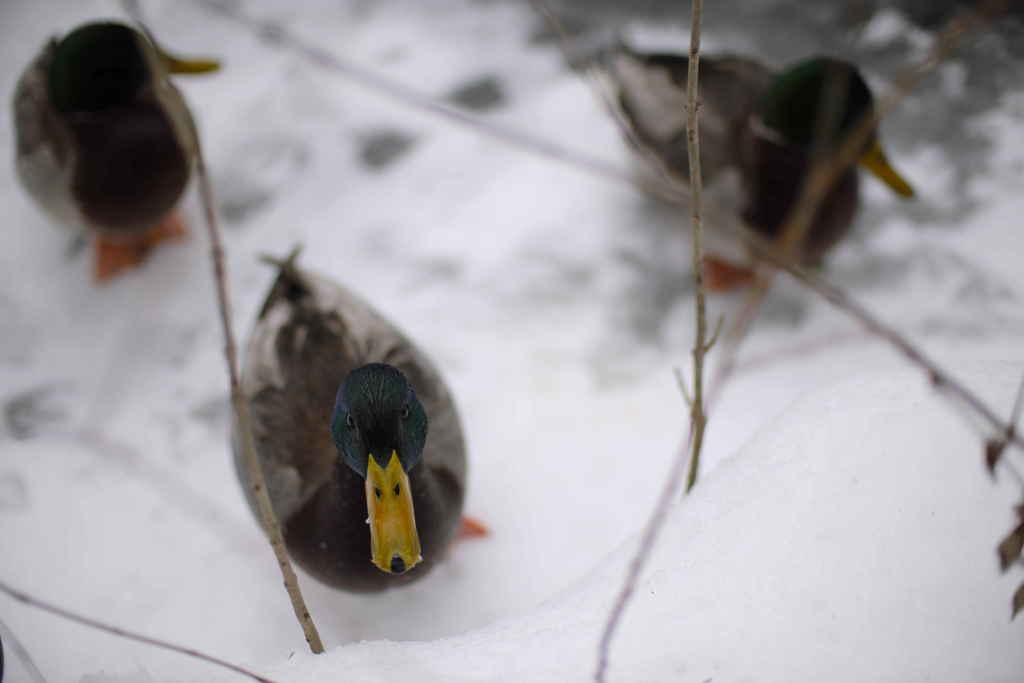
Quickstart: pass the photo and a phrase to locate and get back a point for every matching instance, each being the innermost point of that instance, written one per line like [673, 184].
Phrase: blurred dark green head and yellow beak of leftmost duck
[103, 65]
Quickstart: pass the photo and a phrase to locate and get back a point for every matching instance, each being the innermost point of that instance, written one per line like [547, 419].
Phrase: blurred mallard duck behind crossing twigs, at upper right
[762, 125]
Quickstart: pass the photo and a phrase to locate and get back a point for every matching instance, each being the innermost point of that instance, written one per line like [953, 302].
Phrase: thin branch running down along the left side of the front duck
[240, 406]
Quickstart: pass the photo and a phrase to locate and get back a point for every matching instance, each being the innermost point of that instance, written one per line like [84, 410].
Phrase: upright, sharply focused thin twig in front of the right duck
[698, 415]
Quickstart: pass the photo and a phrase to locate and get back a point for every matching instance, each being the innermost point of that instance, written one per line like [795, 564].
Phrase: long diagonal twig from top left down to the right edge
[722, 220]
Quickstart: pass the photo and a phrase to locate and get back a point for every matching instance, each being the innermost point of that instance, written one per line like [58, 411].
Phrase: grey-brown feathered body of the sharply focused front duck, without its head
[311, 333]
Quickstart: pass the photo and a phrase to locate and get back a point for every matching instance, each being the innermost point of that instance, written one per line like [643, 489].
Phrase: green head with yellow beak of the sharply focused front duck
[380, 429]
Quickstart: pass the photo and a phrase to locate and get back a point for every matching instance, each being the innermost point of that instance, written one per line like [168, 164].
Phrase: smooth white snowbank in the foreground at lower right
[842, 544]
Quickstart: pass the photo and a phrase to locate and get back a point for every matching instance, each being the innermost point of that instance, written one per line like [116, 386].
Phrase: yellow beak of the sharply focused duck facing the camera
[395, 543]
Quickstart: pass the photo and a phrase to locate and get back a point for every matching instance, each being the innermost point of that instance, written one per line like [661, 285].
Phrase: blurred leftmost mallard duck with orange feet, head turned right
[106, 143]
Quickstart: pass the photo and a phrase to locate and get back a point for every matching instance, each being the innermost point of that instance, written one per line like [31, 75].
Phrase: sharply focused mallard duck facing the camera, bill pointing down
[342, 402]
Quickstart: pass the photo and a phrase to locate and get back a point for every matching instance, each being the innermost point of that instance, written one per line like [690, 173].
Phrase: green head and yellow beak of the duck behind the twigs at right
[799, 103]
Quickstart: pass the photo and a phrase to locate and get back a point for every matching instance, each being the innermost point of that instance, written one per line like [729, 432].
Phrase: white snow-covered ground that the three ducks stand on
[851, 539]
